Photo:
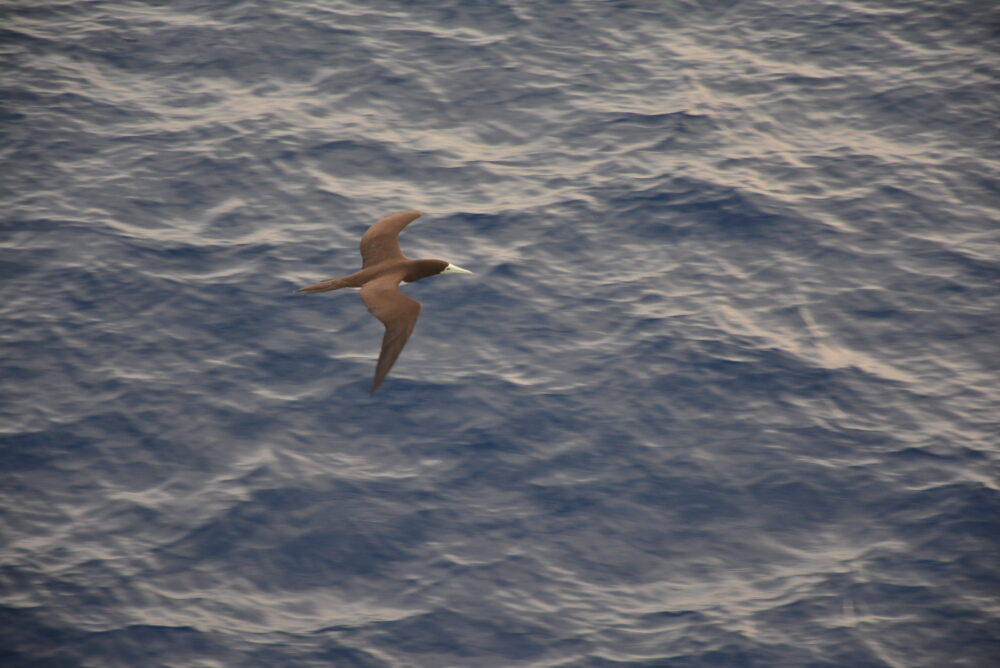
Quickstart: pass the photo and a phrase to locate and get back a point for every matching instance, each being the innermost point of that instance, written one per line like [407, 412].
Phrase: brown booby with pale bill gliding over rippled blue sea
[383, 267]
